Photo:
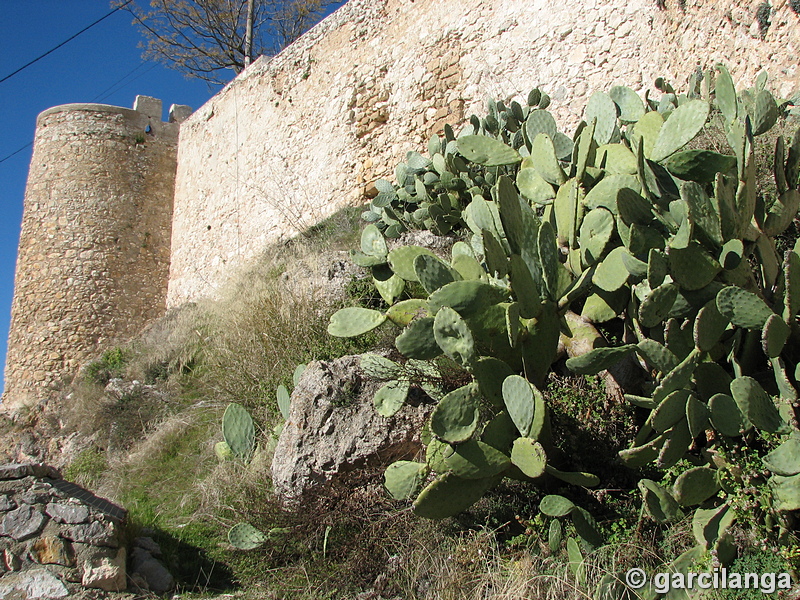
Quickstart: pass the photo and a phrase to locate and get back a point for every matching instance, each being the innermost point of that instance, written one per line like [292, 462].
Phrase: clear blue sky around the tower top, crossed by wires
[101, 65]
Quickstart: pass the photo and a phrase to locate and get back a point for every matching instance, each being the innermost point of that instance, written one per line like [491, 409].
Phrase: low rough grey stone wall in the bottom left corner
[56, 537]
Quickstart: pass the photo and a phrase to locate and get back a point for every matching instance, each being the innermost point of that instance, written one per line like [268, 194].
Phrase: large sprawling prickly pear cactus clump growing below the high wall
[627, 221]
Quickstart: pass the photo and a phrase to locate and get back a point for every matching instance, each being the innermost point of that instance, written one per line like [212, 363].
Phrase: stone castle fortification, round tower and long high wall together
[126, 215]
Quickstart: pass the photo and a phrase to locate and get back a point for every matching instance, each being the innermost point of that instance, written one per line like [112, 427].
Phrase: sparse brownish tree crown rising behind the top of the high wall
[206, 38]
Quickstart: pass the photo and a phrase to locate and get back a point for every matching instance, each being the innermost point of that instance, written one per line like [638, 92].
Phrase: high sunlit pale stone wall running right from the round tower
[297, 137]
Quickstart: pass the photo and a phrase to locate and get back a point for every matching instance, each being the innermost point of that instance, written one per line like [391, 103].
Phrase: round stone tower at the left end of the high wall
[94, 248]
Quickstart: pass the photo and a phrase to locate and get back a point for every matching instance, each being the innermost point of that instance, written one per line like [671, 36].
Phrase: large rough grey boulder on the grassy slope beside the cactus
[333, 430]
